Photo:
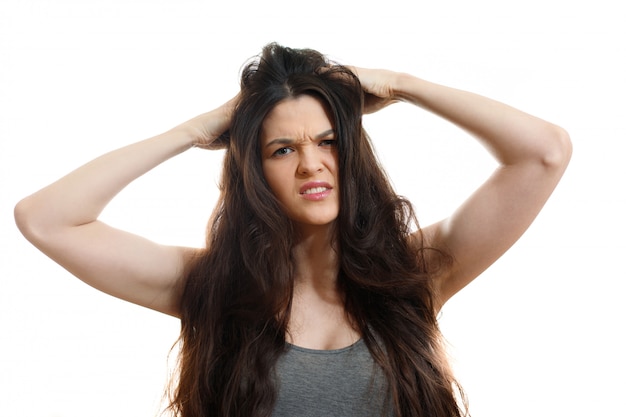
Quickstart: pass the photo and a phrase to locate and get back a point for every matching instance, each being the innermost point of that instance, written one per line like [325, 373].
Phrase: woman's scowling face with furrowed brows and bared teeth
[300, 160]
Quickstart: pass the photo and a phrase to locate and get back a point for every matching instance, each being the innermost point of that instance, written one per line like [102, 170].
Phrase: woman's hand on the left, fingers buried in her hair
[207, 129]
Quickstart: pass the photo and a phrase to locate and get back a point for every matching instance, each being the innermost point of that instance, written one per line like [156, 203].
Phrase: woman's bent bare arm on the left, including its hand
[62, 219]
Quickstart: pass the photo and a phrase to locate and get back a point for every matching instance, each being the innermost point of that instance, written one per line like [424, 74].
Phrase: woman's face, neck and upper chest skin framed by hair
[298, 149]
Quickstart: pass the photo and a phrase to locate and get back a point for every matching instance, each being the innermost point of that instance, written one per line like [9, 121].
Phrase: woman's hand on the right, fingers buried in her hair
[377, 85]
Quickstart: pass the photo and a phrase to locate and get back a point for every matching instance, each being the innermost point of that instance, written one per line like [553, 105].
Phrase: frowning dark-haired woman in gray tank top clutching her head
[317, 293]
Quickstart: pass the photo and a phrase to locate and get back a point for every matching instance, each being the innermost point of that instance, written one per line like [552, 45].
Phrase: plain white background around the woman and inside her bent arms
[541, 333]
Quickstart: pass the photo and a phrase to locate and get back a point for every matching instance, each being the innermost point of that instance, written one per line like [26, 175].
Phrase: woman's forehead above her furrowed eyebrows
[296, 118]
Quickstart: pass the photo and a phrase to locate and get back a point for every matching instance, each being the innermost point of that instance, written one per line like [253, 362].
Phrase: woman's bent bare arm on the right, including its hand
[532, 156]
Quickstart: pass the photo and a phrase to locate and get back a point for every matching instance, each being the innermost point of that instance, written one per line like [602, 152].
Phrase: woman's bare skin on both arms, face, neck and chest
[62, 218]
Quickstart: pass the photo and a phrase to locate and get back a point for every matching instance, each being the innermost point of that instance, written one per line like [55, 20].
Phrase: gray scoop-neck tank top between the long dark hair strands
[341, 382]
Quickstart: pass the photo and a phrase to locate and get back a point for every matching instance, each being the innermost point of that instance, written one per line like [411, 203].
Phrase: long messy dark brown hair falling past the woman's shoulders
[237, 296]
